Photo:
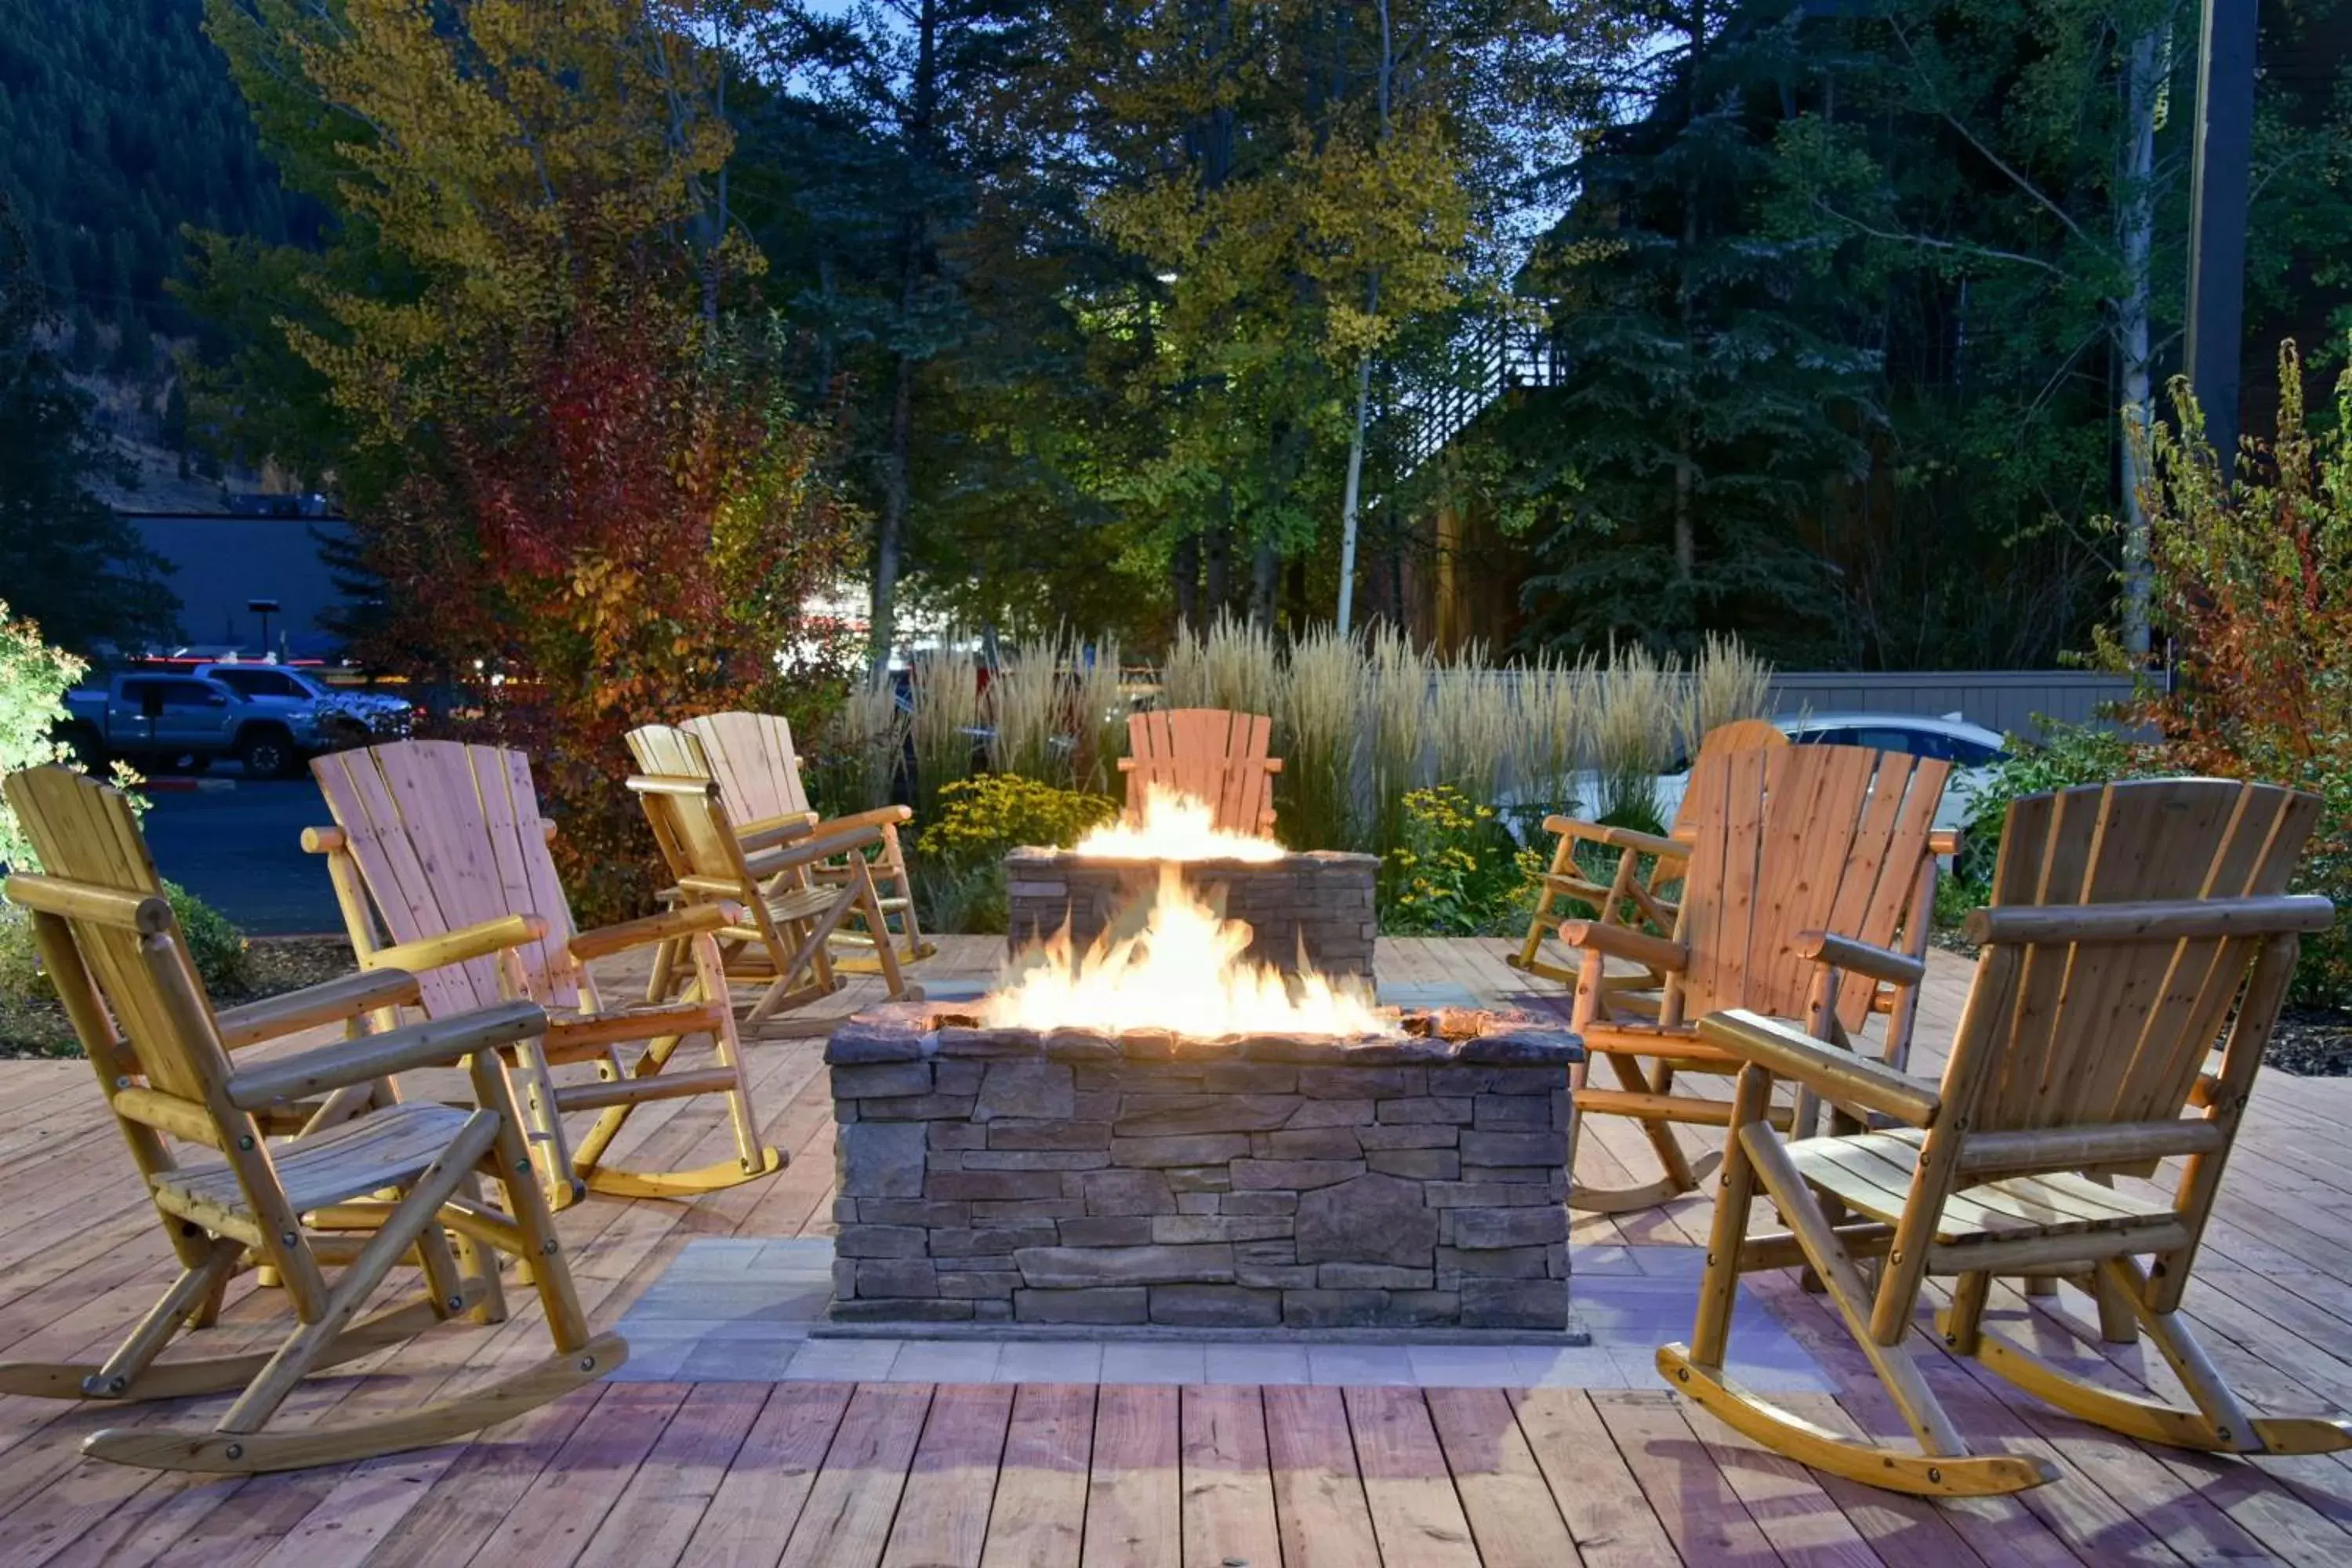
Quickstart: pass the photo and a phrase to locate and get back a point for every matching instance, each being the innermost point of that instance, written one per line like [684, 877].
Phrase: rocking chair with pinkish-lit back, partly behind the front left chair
[443, 843]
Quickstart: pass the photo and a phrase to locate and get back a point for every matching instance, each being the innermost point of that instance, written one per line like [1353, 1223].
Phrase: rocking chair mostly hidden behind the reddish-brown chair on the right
[1629, 892]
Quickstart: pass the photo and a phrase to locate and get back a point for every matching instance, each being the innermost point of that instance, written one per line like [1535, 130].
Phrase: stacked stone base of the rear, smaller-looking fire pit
[1316, 902]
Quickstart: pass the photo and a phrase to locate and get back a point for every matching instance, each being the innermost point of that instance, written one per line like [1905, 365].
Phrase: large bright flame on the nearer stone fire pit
[1182, 972]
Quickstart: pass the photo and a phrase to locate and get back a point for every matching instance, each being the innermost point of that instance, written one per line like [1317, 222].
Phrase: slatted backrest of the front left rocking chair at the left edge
[86, 833]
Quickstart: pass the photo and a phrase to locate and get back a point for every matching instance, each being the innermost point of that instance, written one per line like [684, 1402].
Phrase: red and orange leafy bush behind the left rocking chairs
[622, 532]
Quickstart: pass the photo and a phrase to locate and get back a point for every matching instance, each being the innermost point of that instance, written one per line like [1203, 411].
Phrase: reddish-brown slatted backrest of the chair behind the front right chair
[1789, 840]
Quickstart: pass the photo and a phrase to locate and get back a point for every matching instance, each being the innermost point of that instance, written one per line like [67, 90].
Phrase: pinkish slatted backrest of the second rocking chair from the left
[450, 836]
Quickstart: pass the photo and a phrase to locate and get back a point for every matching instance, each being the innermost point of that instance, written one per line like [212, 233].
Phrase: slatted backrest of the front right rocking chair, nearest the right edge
[2120, 1031]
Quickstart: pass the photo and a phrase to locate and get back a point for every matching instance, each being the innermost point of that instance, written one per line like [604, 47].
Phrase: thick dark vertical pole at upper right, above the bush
[2221, 180]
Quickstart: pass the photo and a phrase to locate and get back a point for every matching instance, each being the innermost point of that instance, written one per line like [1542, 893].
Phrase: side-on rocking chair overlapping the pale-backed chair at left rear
[780, 916]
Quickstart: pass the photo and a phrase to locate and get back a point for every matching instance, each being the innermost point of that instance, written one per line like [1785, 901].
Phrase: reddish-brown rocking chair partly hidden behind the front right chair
[1793, 852]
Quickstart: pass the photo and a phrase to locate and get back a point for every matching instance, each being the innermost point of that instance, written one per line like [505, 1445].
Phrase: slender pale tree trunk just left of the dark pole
[2137, 243]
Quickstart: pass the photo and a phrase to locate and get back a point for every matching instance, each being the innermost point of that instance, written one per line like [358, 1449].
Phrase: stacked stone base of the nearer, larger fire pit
[1236, 1184]
